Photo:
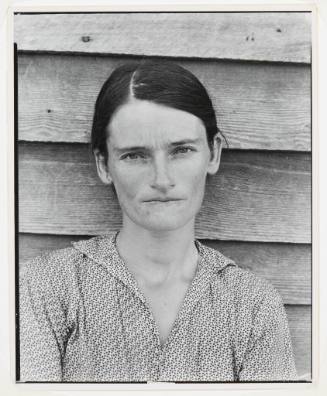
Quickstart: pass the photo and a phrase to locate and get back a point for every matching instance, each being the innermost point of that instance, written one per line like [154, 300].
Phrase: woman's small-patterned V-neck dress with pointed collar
[83, 318]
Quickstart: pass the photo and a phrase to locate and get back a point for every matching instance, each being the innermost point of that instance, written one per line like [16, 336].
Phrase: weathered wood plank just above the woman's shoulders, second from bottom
[286, 266]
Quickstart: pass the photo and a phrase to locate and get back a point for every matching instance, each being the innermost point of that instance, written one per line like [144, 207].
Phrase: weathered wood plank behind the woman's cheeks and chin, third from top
[254, 197]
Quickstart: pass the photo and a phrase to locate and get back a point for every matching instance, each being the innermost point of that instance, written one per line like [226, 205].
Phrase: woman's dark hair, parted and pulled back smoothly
[160, 82]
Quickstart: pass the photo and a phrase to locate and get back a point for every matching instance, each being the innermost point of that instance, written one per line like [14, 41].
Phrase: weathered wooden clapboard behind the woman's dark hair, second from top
[258, 106]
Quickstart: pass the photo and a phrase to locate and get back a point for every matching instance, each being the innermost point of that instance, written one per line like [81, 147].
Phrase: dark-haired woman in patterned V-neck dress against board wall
[151, 303]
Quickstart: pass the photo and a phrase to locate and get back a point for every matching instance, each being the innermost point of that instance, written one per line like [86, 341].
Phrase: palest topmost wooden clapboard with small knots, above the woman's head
[282, 37]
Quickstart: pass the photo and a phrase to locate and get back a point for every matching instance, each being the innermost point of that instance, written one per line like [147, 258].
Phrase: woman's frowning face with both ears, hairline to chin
[158, 160]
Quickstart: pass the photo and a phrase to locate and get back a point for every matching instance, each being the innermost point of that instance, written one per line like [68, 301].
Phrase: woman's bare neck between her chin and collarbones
[158, 257]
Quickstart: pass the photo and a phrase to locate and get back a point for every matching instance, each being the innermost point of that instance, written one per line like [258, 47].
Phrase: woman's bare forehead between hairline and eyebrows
[141, 122]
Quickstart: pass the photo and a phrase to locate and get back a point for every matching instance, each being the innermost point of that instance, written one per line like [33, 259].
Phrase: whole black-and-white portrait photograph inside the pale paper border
[164, 196]
